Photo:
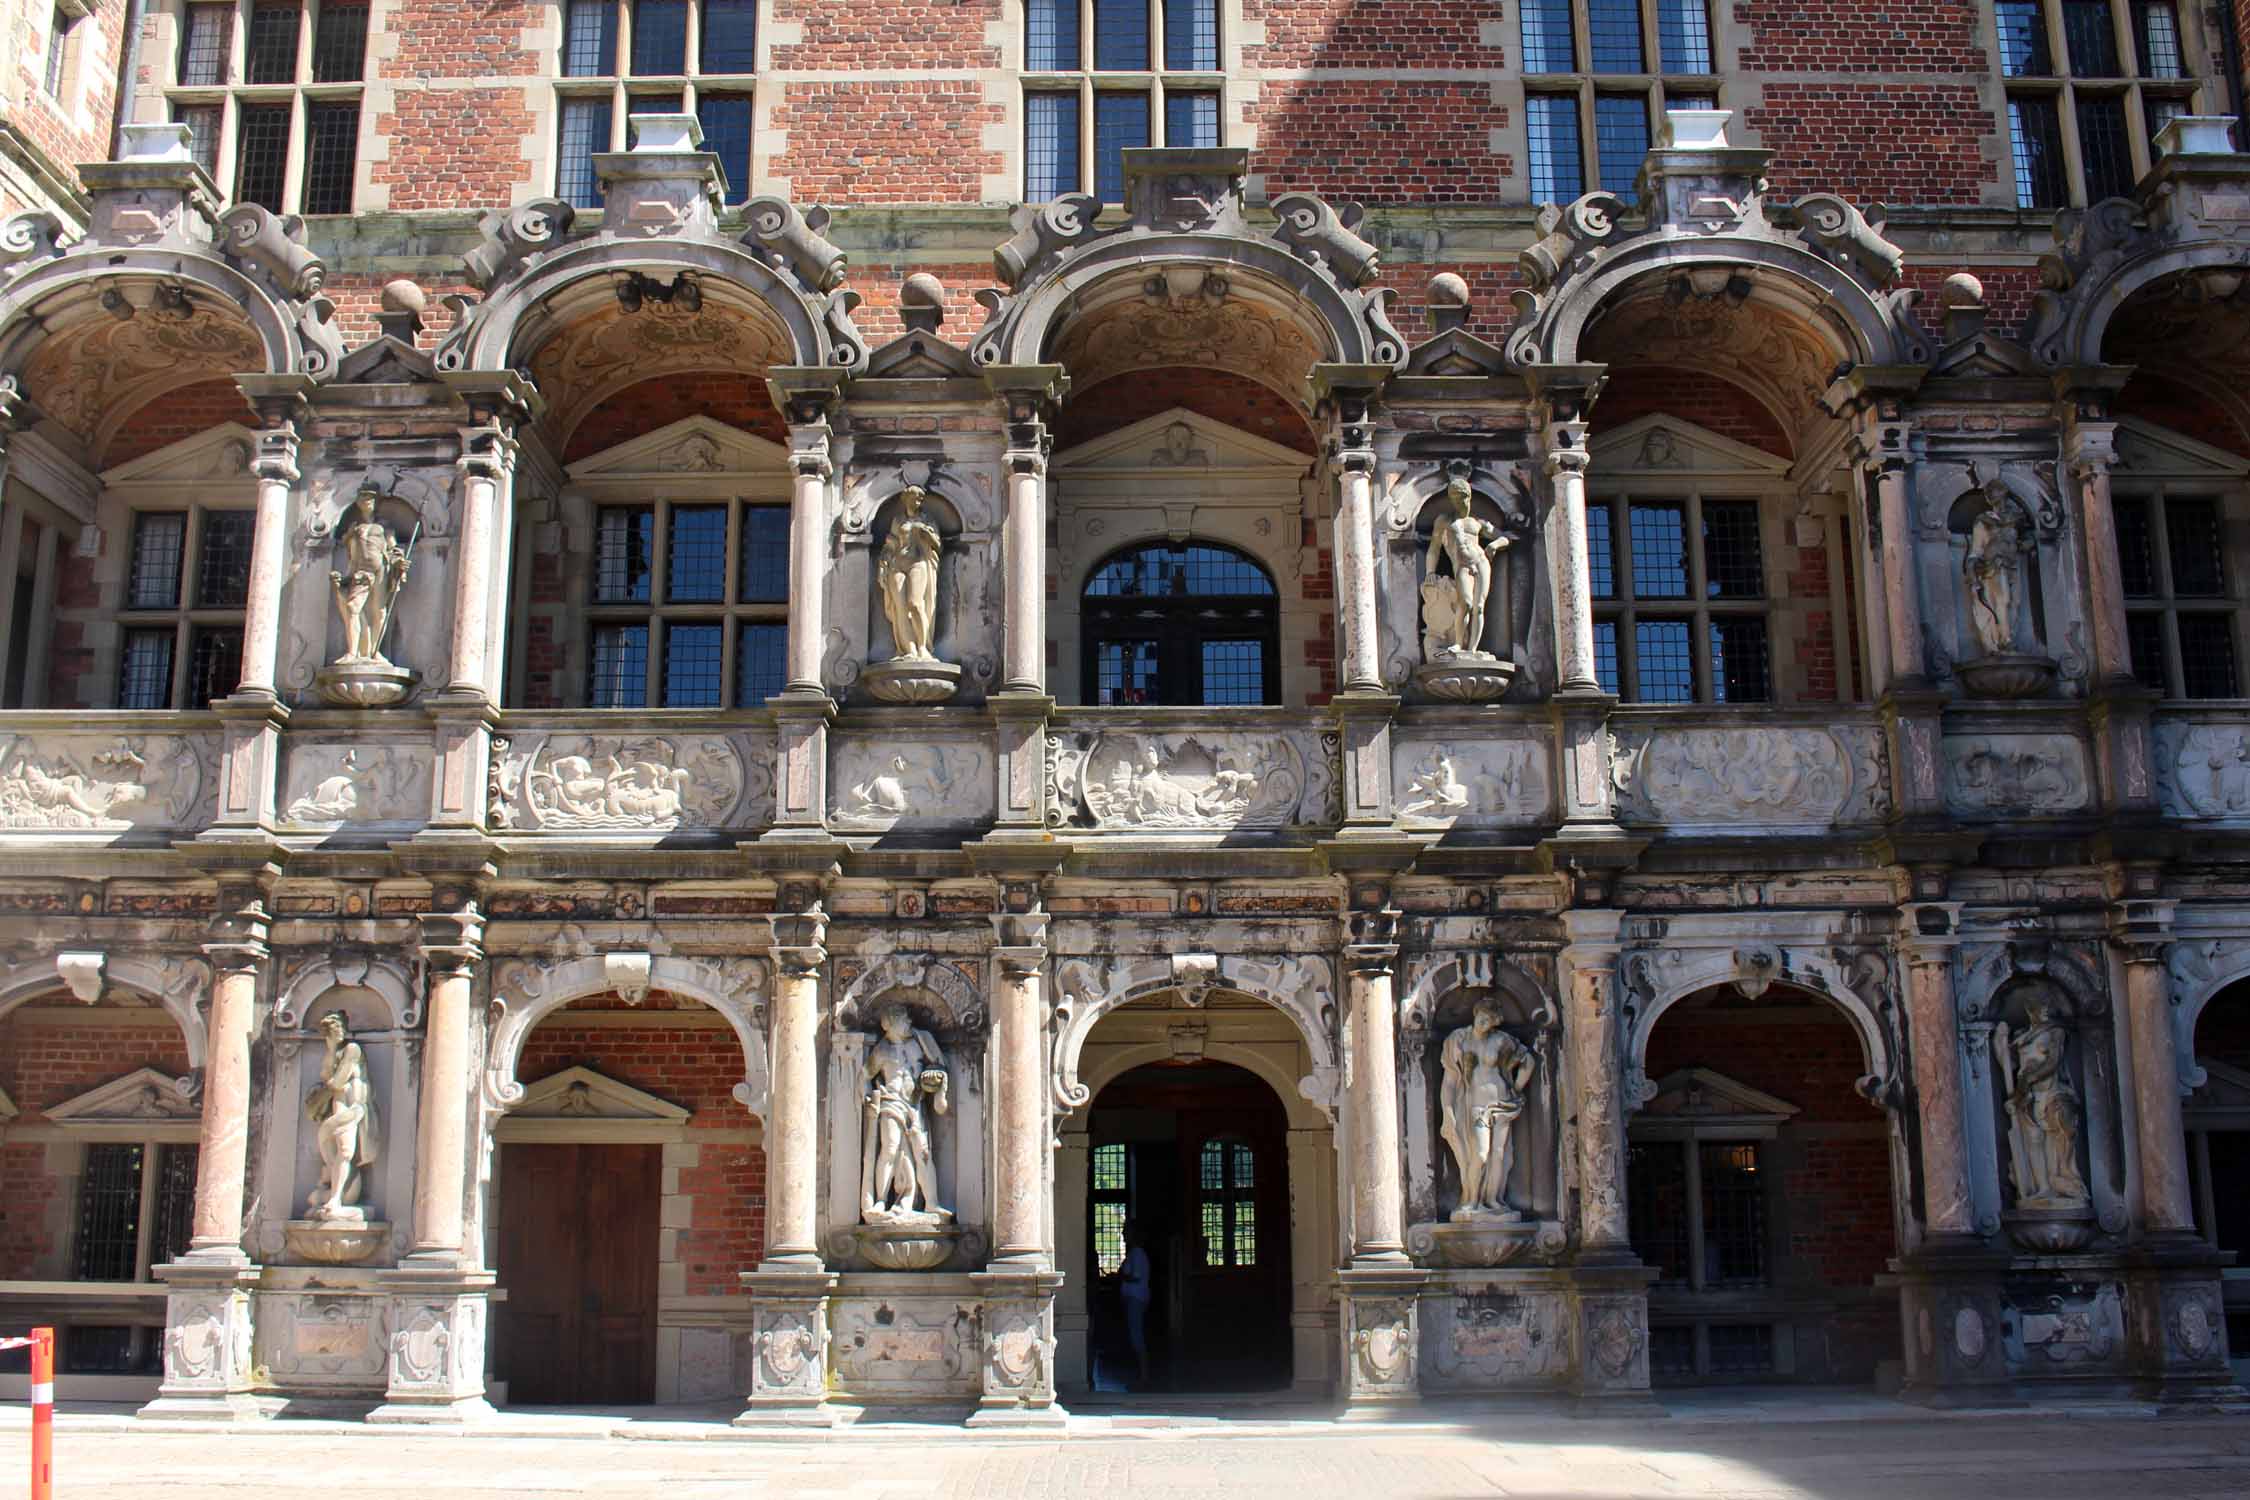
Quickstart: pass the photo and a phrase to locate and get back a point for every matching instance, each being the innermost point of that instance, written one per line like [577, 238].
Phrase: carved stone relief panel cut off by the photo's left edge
[105, 786]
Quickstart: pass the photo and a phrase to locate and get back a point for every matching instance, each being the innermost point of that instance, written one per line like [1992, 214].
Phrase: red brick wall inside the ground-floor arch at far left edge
[46, 1063]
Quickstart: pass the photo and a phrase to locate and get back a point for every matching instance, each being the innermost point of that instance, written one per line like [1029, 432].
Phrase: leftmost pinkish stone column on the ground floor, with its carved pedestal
[208, 1301]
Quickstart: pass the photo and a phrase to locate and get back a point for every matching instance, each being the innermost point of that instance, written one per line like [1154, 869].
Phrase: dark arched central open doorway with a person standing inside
[1189, 1164]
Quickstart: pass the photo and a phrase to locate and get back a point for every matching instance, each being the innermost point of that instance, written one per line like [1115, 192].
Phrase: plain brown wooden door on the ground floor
[579, 1267]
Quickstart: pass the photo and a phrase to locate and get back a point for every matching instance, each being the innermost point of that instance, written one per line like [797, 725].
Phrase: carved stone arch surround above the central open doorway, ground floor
[1299, 986]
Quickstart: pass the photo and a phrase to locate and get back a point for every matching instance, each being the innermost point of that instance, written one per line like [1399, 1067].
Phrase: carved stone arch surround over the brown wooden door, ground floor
[528, 991]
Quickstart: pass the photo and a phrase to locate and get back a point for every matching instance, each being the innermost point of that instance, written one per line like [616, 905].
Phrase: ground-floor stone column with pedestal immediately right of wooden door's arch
[789, 1292]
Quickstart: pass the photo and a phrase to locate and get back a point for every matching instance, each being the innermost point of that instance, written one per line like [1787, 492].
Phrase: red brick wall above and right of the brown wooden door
[696, 1069]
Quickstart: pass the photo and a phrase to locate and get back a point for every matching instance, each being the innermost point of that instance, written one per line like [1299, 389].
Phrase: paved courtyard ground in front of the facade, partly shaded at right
[1754, 1449]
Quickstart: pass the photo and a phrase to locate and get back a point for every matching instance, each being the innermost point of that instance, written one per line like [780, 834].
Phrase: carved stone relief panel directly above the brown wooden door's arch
[570, 784]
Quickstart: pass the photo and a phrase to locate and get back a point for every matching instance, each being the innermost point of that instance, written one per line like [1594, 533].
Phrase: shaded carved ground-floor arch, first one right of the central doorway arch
[1752, 968]
